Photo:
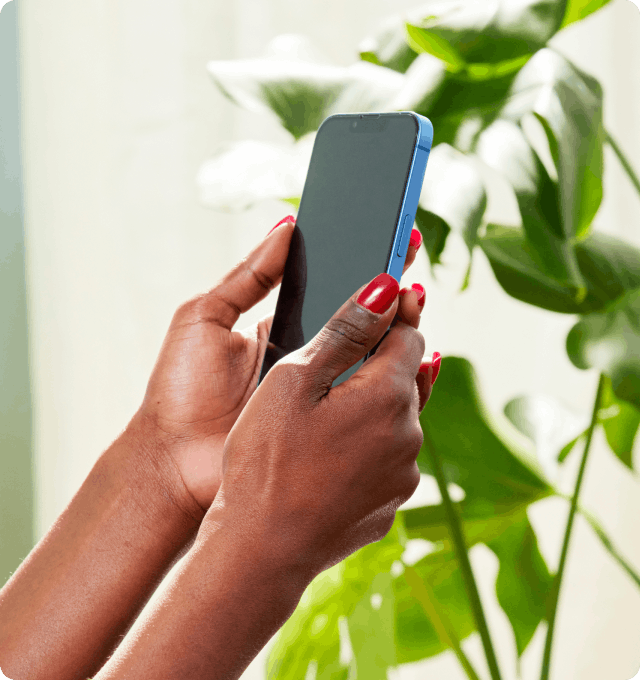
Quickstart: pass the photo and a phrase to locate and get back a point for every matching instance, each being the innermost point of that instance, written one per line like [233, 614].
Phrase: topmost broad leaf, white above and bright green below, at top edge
[484, 33]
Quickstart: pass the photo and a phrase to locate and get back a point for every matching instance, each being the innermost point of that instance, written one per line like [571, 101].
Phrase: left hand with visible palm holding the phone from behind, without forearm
[207, 372]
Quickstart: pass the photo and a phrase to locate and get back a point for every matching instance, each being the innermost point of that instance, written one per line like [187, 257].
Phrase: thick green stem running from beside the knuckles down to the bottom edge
[457, 537]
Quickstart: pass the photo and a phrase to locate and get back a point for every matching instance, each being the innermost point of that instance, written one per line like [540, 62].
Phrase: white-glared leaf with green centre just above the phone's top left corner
[301, 89]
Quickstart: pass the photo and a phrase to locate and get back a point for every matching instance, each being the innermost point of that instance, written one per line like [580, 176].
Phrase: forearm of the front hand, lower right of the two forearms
[225, 602]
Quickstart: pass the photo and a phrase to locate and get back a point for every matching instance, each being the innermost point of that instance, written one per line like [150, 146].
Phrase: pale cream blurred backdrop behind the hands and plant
[102, 236]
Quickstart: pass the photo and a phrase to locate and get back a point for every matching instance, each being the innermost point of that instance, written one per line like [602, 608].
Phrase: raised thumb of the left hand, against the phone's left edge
[251, 280]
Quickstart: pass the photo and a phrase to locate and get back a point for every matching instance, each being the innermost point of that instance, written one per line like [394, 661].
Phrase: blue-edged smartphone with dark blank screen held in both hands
[355, 218]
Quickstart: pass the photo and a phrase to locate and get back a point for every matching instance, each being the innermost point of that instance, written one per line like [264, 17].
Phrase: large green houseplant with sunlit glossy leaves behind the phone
[484, 74]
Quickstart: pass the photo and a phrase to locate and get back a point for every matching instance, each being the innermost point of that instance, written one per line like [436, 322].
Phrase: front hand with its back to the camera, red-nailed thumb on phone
[312, 473]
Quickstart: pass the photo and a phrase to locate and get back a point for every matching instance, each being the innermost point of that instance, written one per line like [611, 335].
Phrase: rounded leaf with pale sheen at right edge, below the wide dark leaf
[609, 340]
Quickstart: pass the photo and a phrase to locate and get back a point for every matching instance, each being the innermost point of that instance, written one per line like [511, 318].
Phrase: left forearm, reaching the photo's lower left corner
[74, 597]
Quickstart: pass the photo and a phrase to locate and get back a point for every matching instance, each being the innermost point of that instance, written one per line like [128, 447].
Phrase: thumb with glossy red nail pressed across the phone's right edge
[352, 331]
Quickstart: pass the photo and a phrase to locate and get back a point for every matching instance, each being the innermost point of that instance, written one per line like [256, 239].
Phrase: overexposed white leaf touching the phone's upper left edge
[244, 173]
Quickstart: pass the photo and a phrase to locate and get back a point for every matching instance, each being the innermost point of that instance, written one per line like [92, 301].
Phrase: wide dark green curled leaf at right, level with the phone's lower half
[608, 266]
